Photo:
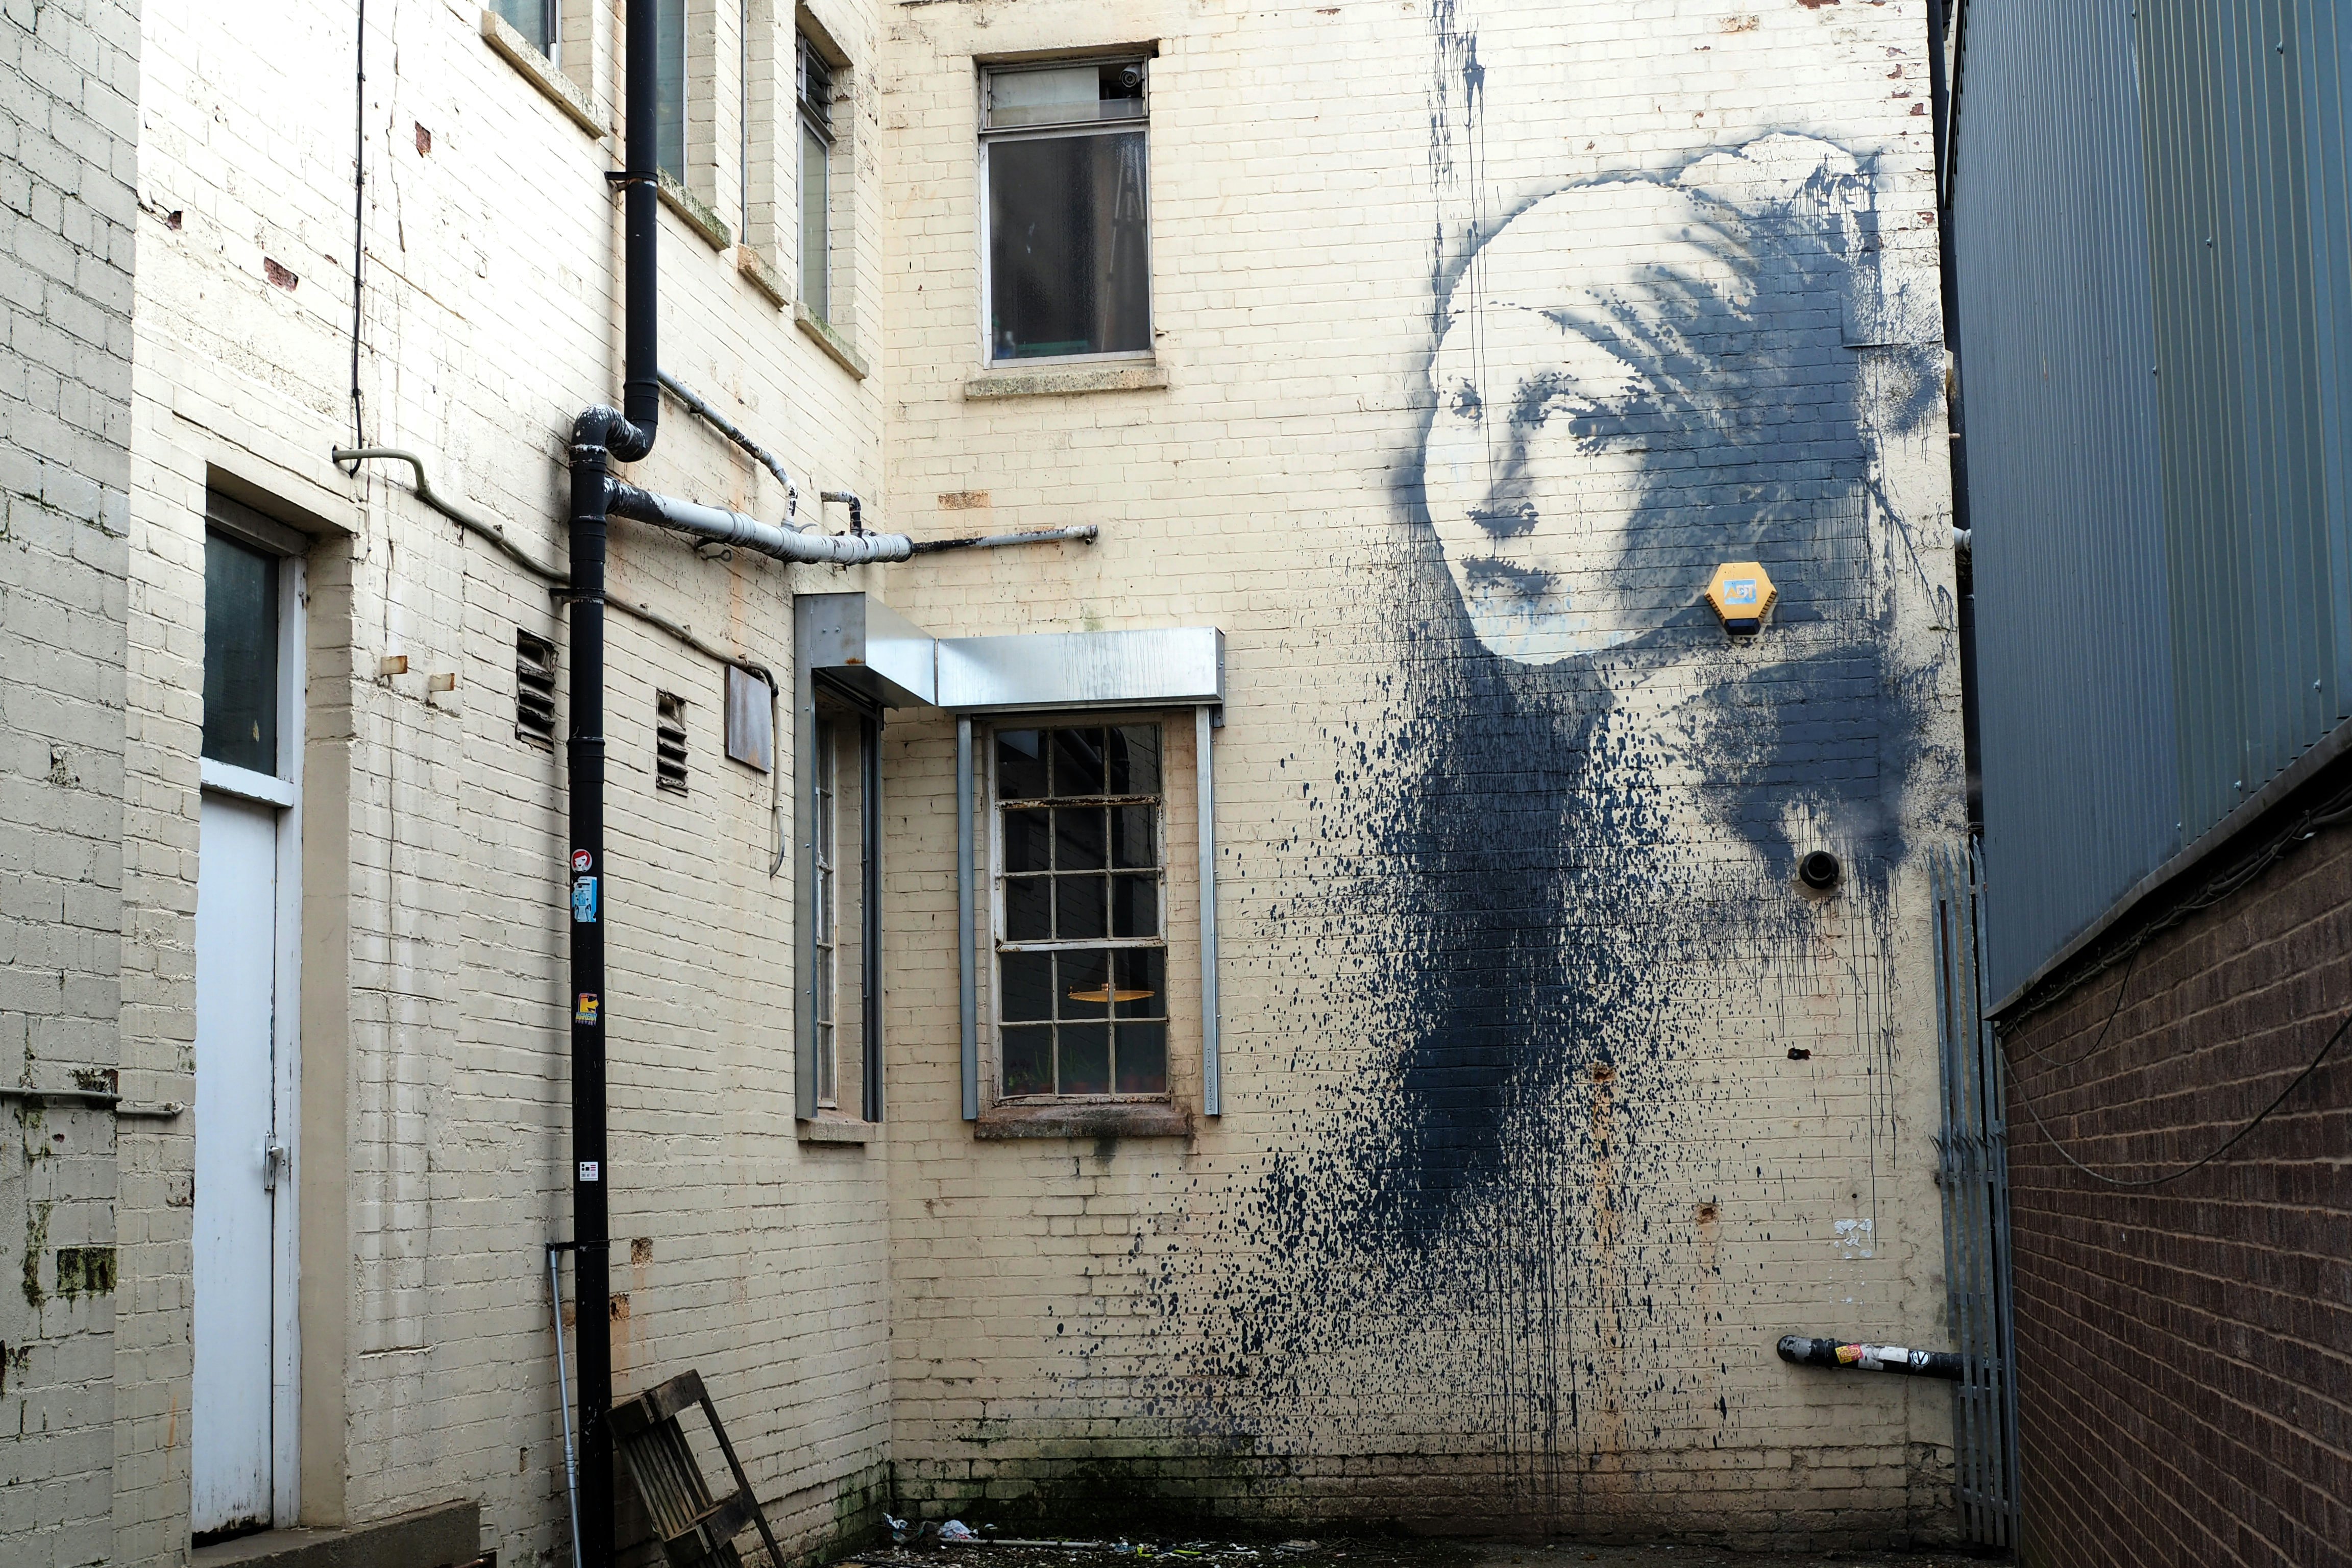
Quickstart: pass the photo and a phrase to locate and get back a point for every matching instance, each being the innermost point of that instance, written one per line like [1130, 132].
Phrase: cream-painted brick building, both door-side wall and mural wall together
[1441, 1259]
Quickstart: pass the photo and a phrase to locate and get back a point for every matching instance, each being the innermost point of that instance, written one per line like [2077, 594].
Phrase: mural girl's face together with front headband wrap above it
[1589, 351]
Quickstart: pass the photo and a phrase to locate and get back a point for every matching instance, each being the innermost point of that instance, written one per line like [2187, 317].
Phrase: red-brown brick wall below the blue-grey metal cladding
[2186, 1351]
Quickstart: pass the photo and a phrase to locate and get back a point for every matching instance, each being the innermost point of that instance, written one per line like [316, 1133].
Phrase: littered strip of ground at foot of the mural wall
[1384, 1553]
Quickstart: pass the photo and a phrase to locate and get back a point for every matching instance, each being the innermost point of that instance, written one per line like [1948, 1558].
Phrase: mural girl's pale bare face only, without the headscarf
[1535, 476]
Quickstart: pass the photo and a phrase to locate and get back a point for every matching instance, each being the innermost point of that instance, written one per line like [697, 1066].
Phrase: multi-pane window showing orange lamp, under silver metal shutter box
[1081, 927]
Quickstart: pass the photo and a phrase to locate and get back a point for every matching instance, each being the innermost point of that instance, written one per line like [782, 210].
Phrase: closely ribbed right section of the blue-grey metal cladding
[2259, 629]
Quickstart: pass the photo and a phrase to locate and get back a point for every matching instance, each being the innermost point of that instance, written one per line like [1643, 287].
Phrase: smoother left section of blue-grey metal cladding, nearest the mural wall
[2057, 342]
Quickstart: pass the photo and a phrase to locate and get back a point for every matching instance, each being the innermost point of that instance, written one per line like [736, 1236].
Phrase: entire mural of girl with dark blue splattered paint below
[1589, 805]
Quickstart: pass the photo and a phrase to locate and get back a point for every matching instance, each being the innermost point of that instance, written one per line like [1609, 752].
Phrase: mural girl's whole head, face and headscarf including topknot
[1638, 380]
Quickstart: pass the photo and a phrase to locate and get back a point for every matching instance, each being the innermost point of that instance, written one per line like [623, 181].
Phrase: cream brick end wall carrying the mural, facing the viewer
[1278, 1318]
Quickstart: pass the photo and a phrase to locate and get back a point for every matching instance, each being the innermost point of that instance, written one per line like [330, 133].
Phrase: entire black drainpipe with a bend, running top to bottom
[599, 438]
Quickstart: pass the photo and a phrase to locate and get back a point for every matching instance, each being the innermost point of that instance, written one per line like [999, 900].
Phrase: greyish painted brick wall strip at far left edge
[69, 83]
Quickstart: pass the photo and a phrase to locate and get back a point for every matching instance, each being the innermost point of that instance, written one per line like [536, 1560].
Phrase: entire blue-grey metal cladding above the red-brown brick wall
[2153, 234]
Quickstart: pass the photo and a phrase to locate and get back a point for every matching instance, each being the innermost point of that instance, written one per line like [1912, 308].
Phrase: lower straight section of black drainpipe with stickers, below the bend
[592, 1224]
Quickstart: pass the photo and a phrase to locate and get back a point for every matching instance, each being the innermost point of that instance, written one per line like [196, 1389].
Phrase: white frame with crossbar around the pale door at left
[281, 791]
